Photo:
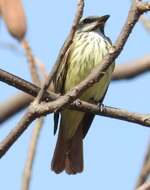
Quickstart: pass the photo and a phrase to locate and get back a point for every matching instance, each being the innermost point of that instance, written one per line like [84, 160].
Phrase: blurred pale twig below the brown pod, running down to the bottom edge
[27, 173]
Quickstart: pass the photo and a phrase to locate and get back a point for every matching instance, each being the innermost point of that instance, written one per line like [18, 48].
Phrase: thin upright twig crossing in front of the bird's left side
[79, 12]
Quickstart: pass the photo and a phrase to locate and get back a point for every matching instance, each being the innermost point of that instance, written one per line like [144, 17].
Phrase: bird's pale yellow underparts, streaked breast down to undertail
[81, 62]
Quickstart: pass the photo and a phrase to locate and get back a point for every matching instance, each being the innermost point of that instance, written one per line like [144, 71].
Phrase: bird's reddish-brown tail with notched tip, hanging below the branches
[68, 155]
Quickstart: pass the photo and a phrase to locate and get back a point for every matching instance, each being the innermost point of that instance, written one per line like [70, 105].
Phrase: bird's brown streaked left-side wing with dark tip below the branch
[59, 82]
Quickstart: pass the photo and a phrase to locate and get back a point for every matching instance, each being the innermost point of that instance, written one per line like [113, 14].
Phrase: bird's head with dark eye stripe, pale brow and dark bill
[93, 23]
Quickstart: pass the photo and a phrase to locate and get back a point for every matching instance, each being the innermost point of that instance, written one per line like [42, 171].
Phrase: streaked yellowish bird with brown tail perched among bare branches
[89, 47]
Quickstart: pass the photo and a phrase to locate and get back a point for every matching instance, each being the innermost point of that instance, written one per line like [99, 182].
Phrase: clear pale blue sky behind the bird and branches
[113, 149]
